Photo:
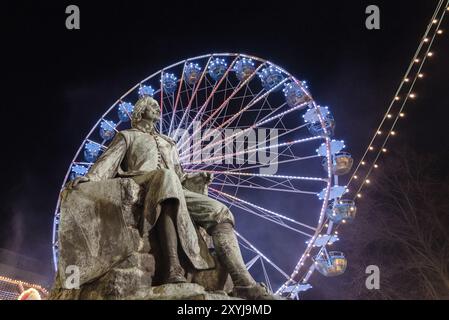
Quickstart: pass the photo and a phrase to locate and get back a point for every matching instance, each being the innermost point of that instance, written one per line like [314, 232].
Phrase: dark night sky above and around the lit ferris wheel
[56, 83]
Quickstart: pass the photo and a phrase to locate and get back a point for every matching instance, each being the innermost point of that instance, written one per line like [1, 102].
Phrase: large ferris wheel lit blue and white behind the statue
[271, 149]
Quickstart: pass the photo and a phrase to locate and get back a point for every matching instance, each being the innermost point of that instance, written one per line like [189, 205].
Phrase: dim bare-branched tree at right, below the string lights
[403, 227]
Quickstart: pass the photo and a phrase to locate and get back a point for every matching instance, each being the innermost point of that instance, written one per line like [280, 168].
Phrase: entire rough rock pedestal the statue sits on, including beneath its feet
[101, 233]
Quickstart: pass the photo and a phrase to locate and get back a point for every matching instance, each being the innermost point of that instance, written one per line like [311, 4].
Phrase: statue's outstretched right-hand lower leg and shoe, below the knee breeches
[228, 253]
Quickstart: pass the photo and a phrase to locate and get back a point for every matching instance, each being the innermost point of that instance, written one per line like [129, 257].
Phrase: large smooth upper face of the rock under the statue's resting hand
[94, 232]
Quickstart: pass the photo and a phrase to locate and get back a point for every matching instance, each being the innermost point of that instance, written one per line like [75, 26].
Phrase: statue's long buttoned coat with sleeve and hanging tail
[153, 158]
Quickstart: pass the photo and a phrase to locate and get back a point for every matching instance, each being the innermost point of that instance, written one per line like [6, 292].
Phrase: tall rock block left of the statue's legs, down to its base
[101, 234]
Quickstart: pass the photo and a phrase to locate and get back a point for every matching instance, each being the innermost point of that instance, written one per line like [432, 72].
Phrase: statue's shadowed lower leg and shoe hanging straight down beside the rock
[169, 241]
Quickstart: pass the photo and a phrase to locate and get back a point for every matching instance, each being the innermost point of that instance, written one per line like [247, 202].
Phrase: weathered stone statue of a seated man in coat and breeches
[152, 160]
